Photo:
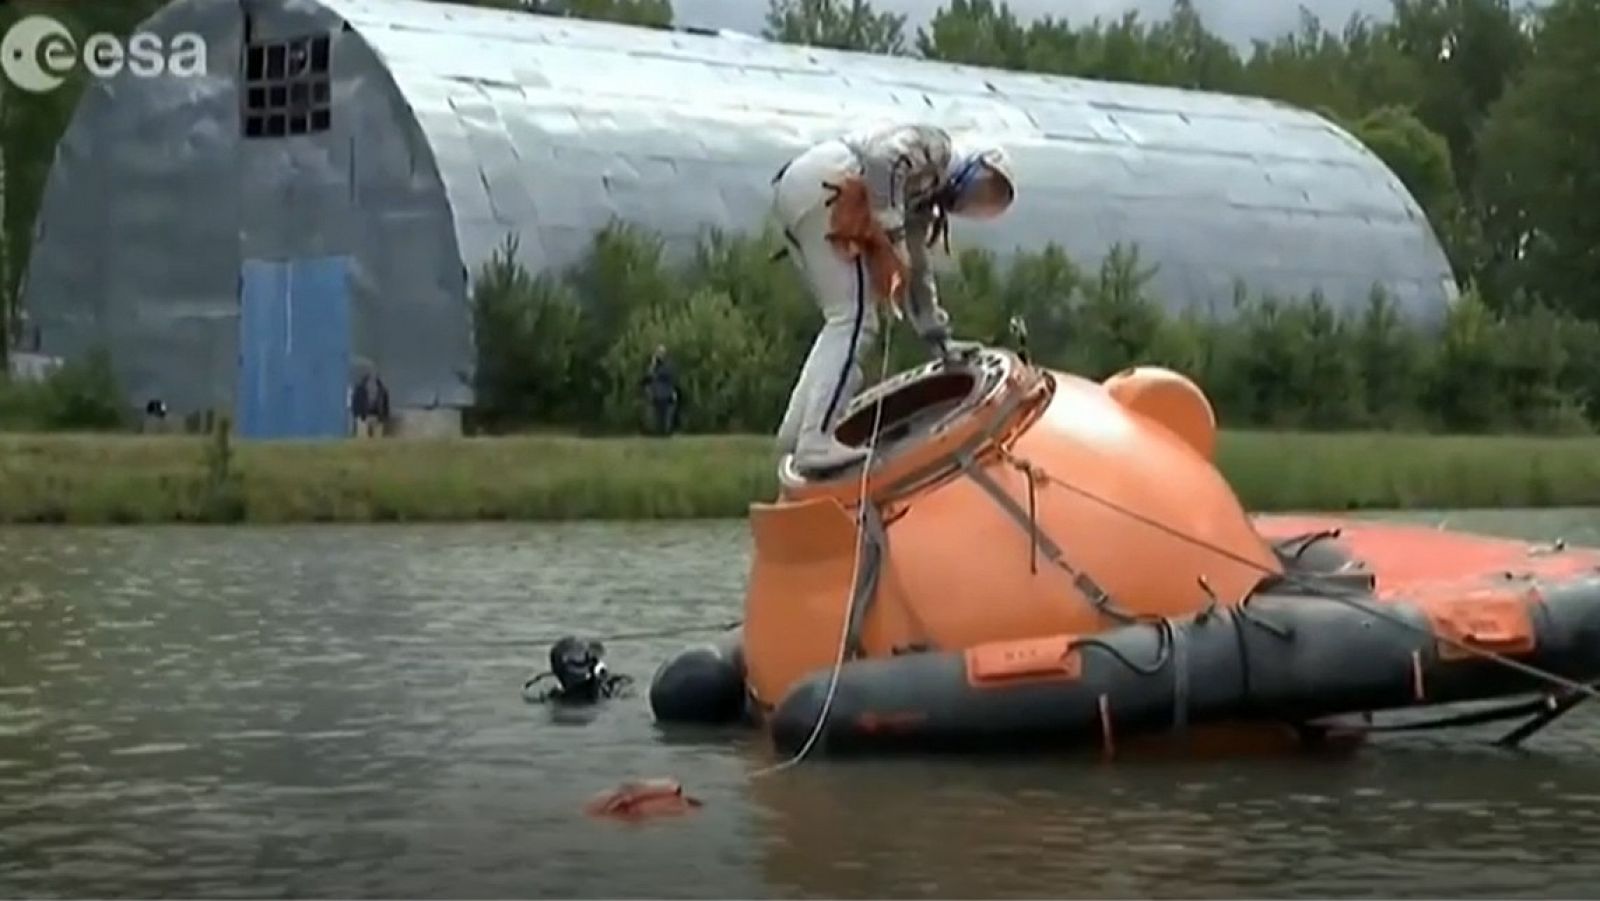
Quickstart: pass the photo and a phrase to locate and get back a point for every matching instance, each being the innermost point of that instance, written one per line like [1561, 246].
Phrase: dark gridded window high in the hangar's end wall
[287, 87]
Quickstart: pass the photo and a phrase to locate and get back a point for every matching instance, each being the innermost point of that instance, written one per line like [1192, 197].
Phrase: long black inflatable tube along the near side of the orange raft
[1289, 659]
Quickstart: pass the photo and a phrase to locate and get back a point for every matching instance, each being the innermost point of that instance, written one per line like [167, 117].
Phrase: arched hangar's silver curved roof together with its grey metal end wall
[455, 122]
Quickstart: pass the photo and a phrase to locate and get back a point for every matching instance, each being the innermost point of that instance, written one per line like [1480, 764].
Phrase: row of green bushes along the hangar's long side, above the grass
[570, 350]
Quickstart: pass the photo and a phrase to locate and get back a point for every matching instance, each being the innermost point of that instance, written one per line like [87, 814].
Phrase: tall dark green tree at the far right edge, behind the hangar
[1538, 186]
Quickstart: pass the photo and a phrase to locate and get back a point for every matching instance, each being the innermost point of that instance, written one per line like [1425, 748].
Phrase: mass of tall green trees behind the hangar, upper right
[1479, 106]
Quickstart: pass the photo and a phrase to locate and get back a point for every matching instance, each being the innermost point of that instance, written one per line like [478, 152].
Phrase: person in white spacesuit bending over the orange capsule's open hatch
[914, 177]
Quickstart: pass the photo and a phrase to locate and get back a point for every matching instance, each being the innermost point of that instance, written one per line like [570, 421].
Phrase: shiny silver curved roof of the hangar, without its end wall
[550, 127]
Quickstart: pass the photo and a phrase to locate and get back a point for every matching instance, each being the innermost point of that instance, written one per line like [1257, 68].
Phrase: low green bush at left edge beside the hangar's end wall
[79, 396]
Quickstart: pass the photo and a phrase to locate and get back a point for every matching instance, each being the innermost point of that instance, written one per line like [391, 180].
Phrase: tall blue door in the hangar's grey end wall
[294, 348]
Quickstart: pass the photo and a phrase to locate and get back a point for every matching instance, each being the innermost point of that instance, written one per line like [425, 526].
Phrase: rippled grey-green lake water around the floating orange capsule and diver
[329, 711]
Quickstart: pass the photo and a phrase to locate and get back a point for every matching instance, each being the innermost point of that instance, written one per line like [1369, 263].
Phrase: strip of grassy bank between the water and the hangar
[122, 479]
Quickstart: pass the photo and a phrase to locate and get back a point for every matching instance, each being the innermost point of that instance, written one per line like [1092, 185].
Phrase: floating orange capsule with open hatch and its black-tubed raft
[1036, 559]
